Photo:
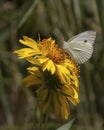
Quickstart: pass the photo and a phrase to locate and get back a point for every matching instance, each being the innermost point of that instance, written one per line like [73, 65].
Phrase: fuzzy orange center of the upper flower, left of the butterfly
[51, 50]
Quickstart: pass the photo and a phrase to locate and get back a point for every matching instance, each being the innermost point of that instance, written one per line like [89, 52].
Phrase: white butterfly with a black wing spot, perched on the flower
[80, 47]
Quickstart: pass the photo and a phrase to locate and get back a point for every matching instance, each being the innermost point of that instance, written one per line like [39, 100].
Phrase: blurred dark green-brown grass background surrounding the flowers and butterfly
[44, 17]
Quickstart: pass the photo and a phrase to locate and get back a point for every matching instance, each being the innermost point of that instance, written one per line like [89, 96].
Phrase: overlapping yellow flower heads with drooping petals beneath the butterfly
[54, 71]
